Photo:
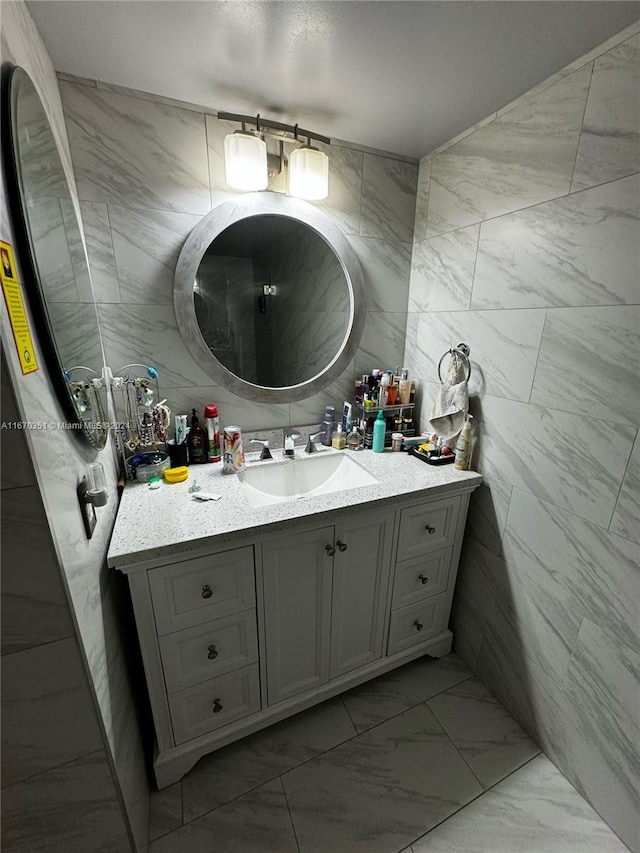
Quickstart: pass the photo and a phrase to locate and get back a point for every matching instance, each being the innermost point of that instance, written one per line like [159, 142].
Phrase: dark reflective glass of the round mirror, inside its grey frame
[272, 301]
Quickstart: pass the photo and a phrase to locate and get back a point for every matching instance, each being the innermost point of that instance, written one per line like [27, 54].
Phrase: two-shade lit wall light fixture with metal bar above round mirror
[246, 162]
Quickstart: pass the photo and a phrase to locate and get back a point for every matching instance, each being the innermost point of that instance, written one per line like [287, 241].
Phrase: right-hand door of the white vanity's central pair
[360, 579]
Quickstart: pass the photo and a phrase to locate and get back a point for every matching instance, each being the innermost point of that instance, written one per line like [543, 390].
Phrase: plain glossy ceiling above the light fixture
[398, 76]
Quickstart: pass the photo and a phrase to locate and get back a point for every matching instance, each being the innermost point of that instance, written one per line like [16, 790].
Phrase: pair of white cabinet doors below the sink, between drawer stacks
[325, 594]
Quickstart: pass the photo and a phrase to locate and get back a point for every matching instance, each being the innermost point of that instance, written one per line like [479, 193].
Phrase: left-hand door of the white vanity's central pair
[297, 607]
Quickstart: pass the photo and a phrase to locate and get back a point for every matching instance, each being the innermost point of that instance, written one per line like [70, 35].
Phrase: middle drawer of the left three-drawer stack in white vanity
[197, 654]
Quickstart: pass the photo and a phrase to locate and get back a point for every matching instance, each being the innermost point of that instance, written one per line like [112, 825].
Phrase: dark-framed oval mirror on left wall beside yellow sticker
[53, 260]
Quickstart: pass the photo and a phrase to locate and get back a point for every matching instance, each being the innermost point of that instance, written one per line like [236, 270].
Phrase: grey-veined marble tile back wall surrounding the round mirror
[149, 170]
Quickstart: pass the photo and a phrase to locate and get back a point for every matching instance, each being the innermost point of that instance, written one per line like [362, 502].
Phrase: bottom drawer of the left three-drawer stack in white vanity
[215, 703]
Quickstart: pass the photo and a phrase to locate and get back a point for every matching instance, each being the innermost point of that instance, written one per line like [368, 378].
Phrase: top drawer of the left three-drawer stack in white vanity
[196, 591]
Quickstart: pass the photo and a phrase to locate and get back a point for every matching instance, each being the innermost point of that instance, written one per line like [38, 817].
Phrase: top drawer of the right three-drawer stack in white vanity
[427, 527]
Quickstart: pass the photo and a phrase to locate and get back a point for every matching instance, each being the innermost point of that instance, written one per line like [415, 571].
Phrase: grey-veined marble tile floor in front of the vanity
[420, 760]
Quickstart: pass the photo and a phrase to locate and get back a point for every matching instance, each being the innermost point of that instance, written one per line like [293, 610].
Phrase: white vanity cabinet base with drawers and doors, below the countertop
[239, 635]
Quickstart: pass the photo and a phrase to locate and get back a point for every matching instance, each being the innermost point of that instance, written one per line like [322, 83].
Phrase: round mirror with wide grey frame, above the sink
[269, 298]
